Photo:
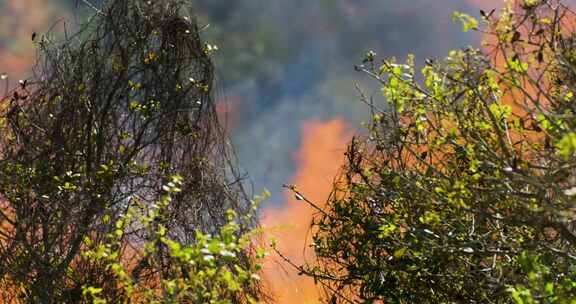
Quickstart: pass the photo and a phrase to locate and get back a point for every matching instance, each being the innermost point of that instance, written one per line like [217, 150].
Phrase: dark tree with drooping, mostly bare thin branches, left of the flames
[113, 112]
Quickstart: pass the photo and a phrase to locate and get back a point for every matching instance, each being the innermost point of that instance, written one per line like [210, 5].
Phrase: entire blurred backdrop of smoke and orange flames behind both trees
[286, 87]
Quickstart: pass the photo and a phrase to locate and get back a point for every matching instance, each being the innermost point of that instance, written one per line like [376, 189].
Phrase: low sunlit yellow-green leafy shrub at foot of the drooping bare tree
[210, 270]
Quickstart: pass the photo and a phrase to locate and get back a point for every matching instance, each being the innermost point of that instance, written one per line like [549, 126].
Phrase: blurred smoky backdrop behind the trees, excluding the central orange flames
[280, 63]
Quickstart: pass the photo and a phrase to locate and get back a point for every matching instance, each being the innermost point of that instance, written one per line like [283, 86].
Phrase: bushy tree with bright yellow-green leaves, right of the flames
[464, 190]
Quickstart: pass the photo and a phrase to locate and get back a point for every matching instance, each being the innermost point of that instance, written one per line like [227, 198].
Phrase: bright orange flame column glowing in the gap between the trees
[320, 157]
